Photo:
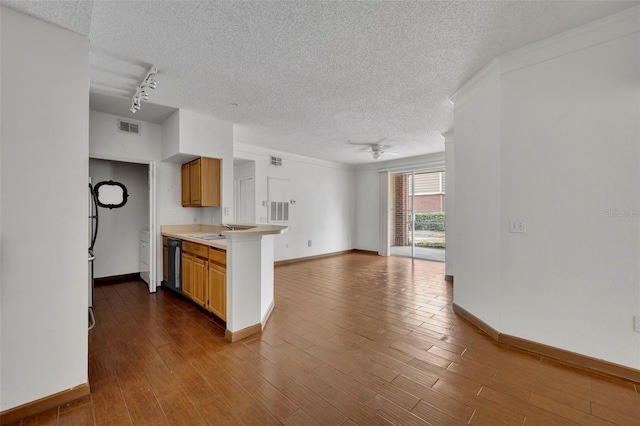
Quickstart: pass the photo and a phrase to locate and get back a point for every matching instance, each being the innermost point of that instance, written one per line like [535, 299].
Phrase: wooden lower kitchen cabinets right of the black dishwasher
[204, 277]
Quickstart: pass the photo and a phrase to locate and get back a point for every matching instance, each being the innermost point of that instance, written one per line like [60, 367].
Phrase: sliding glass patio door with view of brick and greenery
[417, 220]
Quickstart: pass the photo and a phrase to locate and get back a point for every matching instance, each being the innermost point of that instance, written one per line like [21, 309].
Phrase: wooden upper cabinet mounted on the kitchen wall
[201, 183]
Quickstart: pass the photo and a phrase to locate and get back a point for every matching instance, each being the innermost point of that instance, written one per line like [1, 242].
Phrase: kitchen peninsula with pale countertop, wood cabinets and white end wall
[246, 254]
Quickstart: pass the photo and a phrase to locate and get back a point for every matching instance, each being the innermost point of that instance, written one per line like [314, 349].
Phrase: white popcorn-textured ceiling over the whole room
[306, 77]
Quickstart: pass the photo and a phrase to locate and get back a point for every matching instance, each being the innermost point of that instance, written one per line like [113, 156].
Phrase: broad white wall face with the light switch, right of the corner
[570, 168]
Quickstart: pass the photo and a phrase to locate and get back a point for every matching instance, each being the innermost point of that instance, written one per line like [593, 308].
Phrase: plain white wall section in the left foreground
[44, 209]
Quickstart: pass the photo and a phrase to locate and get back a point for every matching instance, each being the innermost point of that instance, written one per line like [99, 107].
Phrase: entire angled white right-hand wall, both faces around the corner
[566, 145]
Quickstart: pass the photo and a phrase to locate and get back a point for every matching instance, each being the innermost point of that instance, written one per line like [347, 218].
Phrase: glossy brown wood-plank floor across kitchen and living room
[354, 339]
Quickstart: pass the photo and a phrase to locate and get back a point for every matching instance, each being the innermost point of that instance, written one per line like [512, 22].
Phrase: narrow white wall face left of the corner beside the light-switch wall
[477, 210]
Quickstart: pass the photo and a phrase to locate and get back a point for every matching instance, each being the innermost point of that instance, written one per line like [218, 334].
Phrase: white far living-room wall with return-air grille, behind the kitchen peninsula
[324, 209]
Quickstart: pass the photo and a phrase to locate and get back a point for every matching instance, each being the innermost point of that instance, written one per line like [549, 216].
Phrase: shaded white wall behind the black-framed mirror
[117, 246]
